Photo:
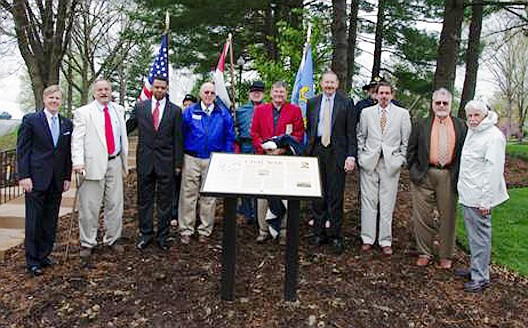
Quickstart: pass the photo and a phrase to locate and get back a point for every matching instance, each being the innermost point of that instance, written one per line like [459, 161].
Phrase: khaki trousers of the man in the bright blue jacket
[193, 177]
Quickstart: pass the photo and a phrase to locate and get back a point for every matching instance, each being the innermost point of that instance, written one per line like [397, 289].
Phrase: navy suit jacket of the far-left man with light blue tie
[38, 158]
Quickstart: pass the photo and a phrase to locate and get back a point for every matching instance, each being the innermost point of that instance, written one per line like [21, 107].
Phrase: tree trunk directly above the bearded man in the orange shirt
[449, 45]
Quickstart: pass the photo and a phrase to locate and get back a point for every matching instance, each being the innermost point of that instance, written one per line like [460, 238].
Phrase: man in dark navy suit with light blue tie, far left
[44, 172]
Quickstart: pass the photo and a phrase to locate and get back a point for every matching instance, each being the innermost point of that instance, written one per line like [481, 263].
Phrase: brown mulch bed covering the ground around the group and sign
[180, 288]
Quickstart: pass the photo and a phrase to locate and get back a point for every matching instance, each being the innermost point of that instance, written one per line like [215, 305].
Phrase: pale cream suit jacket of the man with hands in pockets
[393, 143]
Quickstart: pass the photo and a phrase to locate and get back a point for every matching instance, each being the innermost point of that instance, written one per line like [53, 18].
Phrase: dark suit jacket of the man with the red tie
[161, 150]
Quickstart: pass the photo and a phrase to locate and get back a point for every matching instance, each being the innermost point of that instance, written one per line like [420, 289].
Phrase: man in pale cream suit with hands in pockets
[383, 134]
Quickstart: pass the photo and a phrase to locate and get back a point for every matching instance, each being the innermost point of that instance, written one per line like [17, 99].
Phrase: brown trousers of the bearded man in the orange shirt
[436, 190]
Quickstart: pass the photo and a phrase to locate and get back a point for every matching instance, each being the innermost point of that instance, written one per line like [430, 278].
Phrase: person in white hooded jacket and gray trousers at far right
[481, 187]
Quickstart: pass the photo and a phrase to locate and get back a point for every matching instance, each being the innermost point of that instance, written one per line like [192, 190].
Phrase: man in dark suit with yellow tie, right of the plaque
[331, 130]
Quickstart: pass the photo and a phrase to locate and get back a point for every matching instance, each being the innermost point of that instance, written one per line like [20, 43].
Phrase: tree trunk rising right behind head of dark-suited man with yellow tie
[339, 31]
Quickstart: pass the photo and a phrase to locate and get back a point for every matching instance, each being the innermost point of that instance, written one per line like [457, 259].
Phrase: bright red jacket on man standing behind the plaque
[262, 126]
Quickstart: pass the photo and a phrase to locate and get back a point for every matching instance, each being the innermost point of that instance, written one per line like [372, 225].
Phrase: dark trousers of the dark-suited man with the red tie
[151, 185]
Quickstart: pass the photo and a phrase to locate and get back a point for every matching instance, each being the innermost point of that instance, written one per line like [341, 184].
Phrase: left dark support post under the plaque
[228, 250]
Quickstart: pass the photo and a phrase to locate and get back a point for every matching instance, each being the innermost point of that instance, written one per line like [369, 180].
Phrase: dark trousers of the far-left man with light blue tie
[42, 212]
